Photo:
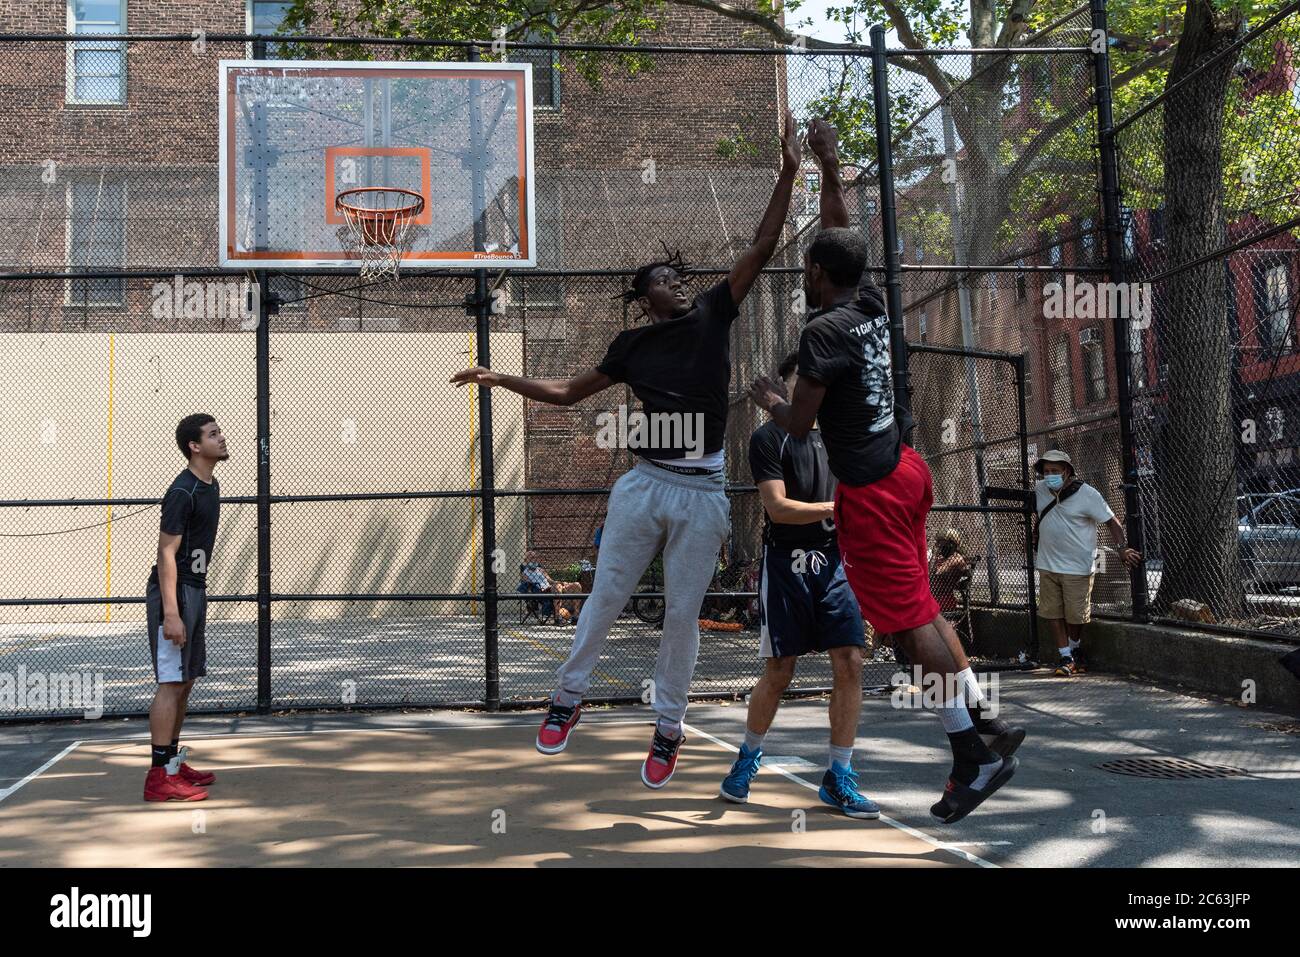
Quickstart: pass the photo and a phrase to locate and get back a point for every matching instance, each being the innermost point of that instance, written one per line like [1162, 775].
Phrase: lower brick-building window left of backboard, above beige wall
[97, 240]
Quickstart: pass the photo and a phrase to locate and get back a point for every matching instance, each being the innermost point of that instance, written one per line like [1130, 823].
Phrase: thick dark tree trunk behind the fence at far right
[1198, 484]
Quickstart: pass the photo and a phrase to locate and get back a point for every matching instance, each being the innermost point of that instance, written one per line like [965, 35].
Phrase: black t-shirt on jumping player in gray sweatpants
[681, 366]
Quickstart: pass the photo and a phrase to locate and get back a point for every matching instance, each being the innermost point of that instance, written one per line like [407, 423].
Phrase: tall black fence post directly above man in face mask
[1111, 211]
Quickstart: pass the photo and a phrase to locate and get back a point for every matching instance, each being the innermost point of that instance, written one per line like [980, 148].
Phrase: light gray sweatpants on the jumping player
[687, 517]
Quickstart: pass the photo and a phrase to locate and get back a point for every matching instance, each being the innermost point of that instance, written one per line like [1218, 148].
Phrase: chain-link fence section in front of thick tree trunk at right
[1210, 253]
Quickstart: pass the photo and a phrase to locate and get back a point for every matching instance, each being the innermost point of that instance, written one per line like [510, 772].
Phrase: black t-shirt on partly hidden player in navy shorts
[774, 454]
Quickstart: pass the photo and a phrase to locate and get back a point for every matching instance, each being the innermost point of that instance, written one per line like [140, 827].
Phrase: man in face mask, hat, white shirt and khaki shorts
[1065, 539]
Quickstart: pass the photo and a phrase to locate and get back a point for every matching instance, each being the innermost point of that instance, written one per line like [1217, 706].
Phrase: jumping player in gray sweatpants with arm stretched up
[674, 500]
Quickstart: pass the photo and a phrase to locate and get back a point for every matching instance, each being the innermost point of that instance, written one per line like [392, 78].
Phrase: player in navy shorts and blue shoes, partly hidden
[805, 605]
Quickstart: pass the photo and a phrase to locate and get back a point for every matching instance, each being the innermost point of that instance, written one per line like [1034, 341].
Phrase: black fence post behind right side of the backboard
[483, 357]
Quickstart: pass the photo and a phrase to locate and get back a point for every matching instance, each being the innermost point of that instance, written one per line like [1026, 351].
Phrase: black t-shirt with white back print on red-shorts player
[863, 418]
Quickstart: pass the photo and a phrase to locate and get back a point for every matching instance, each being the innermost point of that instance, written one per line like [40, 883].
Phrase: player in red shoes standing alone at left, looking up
[176, 607]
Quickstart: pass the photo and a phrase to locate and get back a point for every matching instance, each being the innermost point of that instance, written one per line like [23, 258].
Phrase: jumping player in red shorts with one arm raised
[885, 488]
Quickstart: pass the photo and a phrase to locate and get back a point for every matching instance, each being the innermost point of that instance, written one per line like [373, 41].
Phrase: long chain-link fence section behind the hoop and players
[366, 558]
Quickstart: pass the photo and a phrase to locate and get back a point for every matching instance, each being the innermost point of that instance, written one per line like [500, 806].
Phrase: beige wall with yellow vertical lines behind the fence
[94, 415]
